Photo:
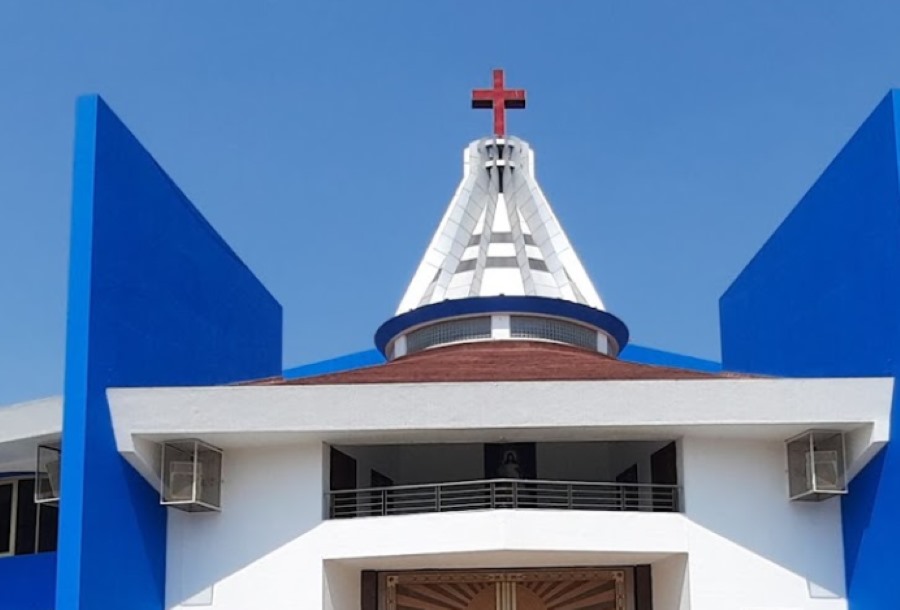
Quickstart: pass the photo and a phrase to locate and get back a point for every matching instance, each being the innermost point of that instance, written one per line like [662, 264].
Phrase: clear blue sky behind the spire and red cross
[324, 142]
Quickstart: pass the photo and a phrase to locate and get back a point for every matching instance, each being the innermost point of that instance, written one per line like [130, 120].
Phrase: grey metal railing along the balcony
[500, 493]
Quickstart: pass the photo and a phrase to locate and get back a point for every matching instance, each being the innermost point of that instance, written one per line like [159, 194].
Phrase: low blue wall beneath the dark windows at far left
[26, 582]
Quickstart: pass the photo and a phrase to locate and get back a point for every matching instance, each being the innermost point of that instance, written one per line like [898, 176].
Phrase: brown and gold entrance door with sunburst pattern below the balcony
[561, 589]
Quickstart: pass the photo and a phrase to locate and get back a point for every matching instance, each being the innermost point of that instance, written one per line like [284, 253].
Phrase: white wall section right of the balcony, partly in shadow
[750, 547]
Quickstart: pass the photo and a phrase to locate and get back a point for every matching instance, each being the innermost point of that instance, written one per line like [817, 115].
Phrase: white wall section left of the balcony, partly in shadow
[243, 557]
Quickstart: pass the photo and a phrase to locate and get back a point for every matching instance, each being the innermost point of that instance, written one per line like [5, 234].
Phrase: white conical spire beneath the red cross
[499, 236]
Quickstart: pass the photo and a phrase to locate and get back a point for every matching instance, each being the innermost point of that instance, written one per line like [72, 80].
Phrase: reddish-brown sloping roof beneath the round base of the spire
[499, 361]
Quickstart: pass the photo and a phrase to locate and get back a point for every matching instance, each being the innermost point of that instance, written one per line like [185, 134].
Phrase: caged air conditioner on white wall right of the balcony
[816, 465]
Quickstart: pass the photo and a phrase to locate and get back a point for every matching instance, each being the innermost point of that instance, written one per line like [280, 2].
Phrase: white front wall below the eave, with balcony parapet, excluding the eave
[740, 546]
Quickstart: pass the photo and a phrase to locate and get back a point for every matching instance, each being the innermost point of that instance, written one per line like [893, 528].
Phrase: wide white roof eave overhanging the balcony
[246, 416]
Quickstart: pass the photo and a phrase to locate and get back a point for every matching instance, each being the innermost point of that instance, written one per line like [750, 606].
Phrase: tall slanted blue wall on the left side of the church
[156, 298]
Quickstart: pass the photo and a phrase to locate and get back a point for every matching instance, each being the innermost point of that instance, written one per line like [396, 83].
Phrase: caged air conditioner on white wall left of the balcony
[191, 476]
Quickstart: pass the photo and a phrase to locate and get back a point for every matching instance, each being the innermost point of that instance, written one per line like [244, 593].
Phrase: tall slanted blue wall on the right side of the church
[822, 298]
